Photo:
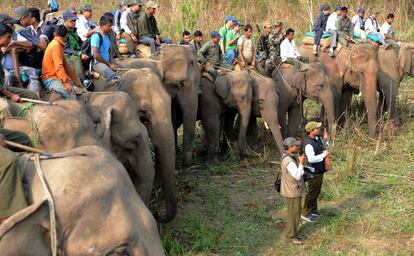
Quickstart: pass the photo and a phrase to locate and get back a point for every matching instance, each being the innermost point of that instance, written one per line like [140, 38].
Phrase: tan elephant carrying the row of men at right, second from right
[354, 68]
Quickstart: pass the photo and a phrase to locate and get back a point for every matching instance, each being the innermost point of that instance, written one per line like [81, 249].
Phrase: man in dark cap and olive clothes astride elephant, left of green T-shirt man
[210, 55]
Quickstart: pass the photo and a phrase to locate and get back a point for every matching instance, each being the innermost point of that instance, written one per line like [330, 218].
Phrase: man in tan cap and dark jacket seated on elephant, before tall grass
[148, 29]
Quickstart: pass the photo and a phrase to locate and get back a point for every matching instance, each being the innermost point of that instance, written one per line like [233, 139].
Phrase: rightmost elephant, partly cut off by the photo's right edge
[391, 70]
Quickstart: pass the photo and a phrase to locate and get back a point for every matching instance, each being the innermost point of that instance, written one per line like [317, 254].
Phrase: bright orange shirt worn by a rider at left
[55, 66]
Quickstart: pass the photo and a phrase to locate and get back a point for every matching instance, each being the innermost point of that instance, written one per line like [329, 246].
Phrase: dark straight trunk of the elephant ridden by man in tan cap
[188, 102]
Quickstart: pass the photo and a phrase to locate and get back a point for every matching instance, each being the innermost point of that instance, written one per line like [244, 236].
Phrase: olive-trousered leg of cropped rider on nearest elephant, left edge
[12, 195]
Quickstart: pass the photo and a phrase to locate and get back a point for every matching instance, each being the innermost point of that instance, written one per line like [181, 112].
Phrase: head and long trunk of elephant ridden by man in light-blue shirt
[154, 105]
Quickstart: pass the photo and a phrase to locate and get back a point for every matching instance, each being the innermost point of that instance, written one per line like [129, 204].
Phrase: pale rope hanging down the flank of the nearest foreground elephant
[52, 212]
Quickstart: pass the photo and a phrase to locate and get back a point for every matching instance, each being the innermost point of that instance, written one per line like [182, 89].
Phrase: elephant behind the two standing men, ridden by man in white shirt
[292, 86]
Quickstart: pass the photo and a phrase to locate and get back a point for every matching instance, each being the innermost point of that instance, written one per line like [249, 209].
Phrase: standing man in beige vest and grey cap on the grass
[292, 186]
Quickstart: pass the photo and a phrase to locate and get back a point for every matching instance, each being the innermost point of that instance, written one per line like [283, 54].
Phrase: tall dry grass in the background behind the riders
[176, 15]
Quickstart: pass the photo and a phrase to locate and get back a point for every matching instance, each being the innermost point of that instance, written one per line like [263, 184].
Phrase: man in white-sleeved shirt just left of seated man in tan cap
[129, 26]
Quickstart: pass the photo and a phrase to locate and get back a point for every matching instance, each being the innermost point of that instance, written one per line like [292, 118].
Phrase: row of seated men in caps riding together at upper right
[344, 30]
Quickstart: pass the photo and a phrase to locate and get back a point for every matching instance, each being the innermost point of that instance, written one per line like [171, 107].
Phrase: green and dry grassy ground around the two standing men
[232, 209]
